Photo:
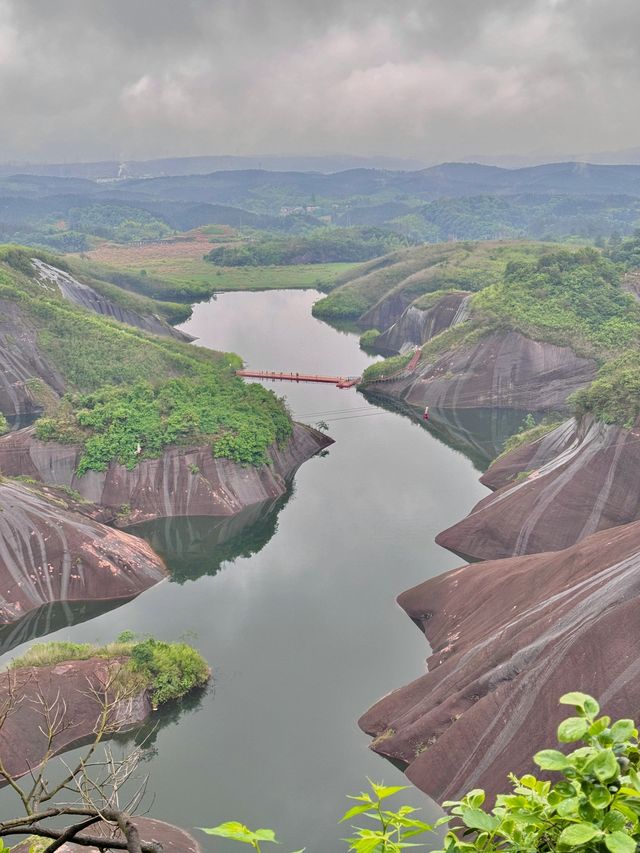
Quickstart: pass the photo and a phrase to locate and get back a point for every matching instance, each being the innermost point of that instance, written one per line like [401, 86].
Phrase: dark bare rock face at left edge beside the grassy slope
[20, 363]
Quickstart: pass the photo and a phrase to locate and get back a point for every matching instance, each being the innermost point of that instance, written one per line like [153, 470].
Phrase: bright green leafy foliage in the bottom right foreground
[591, 804]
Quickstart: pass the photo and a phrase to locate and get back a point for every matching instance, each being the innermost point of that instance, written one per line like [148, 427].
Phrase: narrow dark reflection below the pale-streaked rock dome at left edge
[52, 617]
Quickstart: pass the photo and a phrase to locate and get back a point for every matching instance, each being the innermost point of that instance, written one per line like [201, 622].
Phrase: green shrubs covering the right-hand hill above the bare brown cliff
[568, 297]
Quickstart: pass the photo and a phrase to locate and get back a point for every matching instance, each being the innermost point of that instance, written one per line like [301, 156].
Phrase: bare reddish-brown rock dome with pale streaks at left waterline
[51, 553]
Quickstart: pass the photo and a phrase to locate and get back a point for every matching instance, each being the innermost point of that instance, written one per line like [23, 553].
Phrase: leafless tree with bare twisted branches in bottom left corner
[90, 791]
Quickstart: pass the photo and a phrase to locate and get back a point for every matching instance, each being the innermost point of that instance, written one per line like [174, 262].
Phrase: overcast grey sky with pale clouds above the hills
[429, 79]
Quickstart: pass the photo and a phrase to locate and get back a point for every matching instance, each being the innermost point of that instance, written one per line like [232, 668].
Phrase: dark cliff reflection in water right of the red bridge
[478, 433]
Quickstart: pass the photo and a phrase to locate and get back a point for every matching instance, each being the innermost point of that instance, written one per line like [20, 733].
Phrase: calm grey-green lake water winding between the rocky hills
[293, 603]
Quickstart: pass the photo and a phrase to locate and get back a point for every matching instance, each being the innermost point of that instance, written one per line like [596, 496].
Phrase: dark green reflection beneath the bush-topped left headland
[196, 546]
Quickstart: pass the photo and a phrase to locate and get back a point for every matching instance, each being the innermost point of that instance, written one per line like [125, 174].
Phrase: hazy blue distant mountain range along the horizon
[445, 202]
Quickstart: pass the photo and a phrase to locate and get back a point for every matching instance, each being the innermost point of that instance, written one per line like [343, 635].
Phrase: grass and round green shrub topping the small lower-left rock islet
[168, 670]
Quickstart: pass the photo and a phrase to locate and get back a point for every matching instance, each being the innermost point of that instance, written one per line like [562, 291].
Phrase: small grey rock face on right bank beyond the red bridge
[416, 326]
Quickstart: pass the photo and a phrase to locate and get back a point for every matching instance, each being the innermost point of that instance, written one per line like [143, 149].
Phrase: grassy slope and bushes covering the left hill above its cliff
[129, 388]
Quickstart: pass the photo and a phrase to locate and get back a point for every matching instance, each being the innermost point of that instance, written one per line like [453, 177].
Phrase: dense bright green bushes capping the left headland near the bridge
[127, 424]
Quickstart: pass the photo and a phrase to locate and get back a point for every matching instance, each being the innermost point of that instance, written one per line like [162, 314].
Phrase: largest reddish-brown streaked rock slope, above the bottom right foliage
[508, 638]
